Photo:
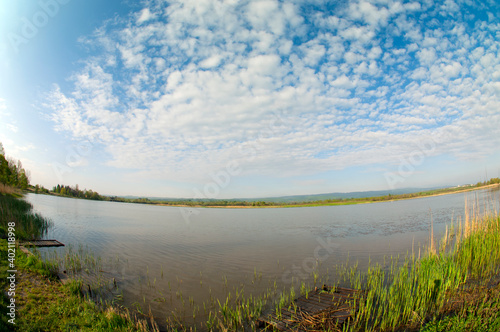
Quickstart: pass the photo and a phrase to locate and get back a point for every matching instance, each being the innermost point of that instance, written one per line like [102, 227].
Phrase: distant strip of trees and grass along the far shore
[75, 192]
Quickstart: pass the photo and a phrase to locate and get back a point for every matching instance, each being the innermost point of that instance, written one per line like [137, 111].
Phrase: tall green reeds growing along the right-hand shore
[414, 290]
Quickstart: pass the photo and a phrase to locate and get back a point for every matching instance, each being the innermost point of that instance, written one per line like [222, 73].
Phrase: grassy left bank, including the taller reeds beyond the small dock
[42, 302]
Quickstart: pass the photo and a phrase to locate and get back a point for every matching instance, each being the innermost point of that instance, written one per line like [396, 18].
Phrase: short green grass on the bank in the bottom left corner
[44, 304]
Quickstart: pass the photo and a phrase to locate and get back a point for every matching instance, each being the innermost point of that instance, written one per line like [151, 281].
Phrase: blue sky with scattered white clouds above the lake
[227, 99]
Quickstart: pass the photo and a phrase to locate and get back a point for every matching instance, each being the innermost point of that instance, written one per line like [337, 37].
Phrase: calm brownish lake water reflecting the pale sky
[194, 251]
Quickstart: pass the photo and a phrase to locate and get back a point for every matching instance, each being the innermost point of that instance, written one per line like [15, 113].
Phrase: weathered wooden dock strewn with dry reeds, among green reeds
[319, 306]
